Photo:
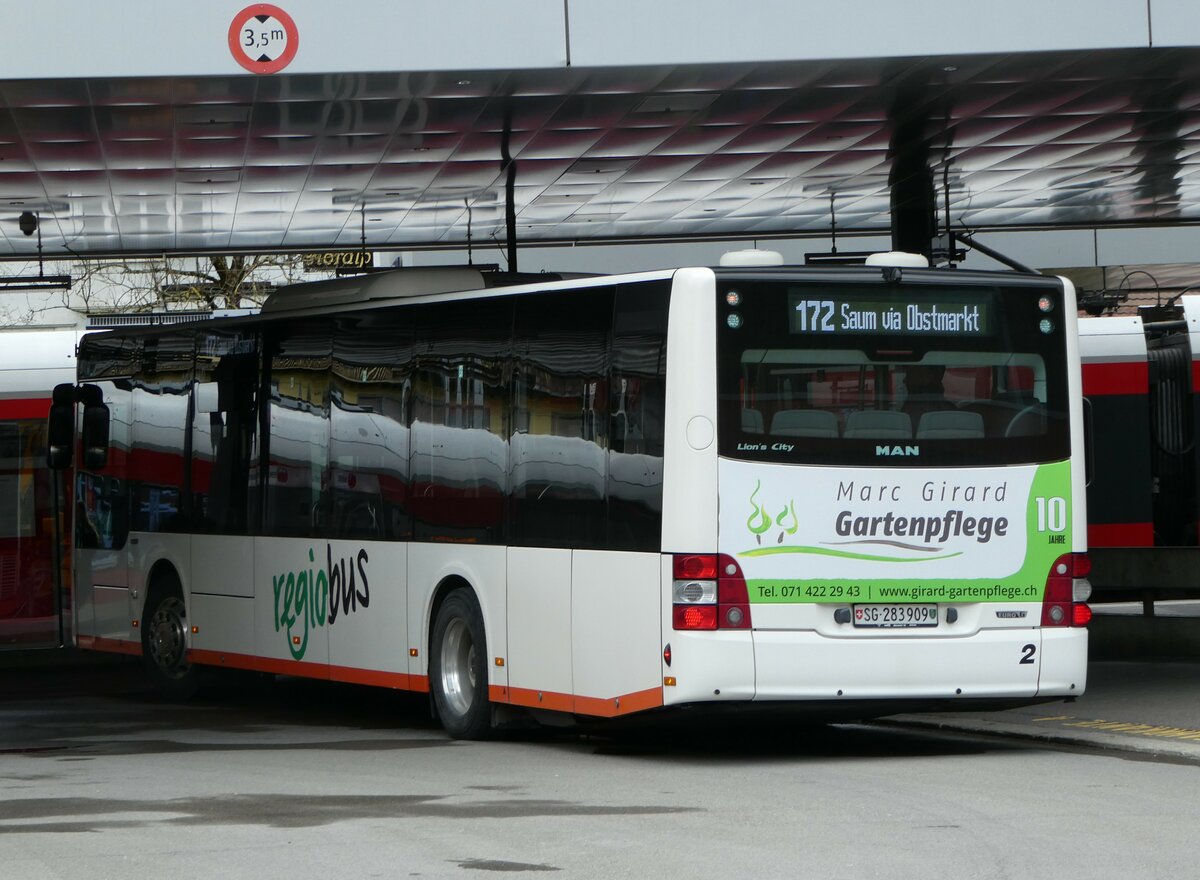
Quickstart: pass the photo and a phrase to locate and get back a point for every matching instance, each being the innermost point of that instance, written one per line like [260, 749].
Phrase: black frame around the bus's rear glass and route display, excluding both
[763, 322]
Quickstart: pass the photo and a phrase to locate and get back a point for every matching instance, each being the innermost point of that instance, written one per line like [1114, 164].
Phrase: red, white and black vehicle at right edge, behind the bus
[1142, 375]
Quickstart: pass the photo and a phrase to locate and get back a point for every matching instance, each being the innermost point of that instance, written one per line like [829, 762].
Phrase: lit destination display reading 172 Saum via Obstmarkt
[813, 314]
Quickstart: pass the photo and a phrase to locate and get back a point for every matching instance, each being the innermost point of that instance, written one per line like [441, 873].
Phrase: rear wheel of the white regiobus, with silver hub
[459, 668]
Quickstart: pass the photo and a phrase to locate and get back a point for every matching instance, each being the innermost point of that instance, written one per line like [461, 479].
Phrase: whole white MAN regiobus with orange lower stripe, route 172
[857, 489]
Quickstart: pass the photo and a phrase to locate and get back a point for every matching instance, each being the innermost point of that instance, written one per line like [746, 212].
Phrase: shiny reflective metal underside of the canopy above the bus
[303, 161]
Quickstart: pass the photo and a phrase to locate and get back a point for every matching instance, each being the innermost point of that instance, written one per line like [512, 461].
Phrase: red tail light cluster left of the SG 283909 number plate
[709, 592]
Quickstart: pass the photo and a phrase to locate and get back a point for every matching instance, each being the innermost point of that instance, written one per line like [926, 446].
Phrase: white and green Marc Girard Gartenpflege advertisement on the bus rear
[819, 535]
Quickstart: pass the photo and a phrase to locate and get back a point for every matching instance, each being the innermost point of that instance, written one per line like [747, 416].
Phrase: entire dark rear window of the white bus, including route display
[963, 376]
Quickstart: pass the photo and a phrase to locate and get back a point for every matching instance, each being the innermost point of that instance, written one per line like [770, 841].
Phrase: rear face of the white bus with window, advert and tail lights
[899, 504]
